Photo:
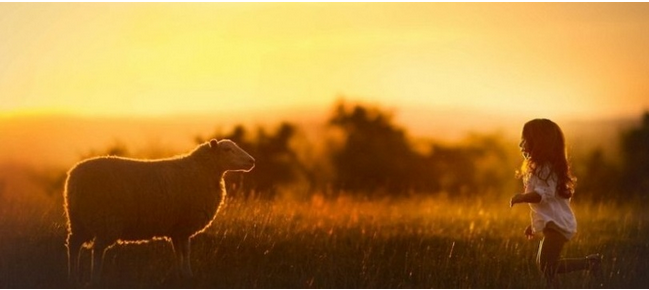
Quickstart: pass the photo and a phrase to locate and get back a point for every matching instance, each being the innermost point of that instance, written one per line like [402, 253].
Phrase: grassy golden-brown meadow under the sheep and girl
[332, 242]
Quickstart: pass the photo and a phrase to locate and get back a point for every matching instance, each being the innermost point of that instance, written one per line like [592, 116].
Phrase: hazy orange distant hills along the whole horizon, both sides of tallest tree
[62, 140]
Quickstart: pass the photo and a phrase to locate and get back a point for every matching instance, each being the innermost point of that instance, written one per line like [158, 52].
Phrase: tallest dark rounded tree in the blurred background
[375, 155]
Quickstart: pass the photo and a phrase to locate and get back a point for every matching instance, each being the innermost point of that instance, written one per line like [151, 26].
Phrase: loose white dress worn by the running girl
[552, 207]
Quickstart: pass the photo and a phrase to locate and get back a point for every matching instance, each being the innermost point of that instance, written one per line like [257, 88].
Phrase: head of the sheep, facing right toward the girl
[231, 157]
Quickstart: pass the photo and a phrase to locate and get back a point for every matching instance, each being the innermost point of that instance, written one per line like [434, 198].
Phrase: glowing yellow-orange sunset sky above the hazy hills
[578, 60]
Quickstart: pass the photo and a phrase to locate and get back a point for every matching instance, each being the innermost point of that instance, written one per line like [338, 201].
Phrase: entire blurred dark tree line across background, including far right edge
[364, 153]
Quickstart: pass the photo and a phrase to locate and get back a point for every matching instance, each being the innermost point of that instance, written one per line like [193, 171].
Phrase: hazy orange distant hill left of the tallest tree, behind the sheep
[62, 139]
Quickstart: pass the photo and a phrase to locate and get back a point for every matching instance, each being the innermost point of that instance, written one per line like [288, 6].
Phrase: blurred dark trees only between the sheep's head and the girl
[367, 154]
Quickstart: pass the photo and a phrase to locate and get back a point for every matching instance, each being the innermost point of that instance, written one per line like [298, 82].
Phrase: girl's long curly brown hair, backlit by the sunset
[546, 145]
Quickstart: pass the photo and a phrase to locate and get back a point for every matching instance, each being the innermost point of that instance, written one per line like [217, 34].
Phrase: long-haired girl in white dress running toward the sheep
[549, 186]
